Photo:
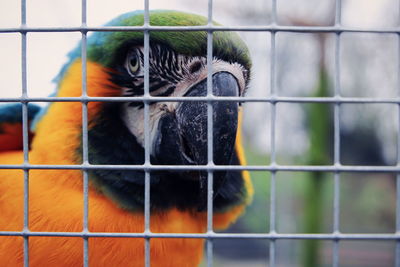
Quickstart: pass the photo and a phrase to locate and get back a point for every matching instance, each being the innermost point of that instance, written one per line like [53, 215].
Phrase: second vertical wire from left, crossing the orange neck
[85, 138]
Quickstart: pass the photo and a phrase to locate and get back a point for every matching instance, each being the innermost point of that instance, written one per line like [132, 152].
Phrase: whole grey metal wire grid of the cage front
[336, 236]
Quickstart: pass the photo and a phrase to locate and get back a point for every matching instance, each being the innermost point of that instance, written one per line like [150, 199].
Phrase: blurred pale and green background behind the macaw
[369, 67]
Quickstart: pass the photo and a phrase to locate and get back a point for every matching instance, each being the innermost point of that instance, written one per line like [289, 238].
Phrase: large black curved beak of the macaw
[182, 136]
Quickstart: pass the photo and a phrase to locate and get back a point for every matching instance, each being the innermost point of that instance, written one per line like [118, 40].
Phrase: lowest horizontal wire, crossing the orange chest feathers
[212, 235]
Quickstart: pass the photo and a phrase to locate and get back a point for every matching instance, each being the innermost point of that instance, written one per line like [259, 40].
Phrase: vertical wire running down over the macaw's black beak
[210, 141]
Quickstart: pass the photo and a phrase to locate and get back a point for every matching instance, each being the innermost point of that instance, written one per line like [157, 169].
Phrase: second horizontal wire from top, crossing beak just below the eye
[275, 99]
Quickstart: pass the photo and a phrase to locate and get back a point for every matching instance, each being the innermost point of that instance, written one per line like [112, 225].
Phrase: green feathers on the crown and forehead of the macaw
[103, 47]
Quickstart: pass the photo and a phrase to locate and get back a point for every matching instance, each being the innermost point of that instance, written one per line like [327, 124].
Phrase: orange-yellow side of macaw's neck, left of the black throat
[58, 133]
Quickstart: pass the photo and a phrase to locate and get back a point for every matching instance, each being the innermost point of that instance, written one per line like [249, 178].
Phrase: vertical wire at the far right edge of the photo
[397, 260]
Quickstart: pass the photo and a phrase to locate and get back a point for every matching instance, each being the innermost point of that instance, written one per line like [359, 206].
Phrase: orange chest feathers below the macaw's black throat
[56, 209]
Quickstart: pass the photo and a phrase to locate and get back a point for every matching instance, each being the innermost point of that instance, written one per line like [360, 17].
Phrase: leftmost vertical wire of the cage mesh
[25, 137]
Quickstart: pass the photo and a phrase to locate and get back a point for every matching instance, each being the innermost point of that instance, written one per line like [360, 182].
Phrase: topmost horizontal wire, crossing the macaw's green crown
[212, 28]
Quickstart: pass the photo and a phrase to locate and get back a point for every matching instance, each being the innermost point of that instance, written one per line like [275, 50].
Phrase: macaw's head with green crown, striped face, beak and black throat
[177, 130]
